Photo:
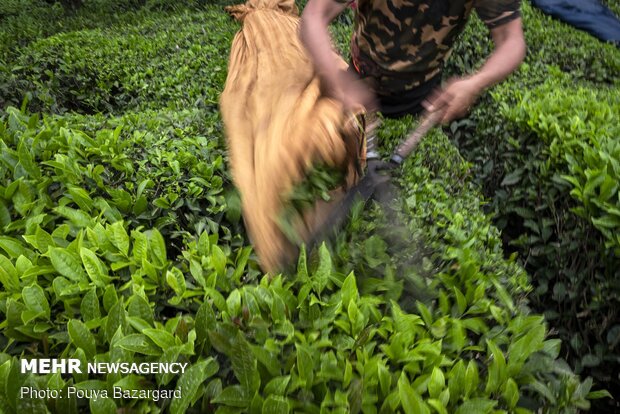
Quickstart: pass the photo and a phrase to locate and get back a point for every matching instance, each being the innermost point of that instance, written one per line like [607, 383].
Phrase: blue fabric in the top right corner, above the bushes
[588, 15]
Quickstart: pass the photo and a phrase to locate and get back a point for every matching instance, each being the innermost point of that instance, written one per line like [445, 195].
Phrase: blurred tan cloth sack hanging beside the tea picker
[278, 125]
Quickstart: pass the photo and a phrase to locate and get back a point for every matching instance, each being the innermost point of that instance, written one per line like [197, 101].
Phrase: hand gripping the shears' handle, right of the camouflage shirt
[454, 99]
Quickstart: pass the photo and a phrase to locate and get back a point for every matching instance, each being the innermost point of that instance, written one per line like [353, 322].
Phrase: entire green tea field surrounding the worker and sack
[121, 239]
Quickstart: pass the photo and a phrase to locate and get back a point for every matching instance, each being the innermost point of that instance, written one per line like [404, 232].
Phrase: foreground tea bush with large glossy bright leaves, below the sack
[84, 278]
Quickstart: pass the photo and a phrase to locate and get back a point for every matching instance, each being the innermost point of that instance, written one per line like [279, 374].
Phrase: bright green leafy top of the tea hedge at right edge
[578, 125]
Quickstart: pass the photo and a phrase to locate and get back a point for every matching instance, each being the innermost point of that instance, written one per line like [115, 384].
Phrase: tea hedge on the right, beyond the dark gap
[534, 143]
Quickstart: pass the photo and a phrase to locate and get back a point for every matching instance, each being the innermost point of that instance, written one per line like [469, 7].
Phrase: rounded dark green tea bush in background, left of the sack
[88, 71]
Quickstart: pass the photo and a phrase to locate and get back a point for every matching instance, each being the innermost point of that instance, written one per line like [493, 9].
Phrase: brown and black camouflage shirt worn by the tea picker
[403, 43]
